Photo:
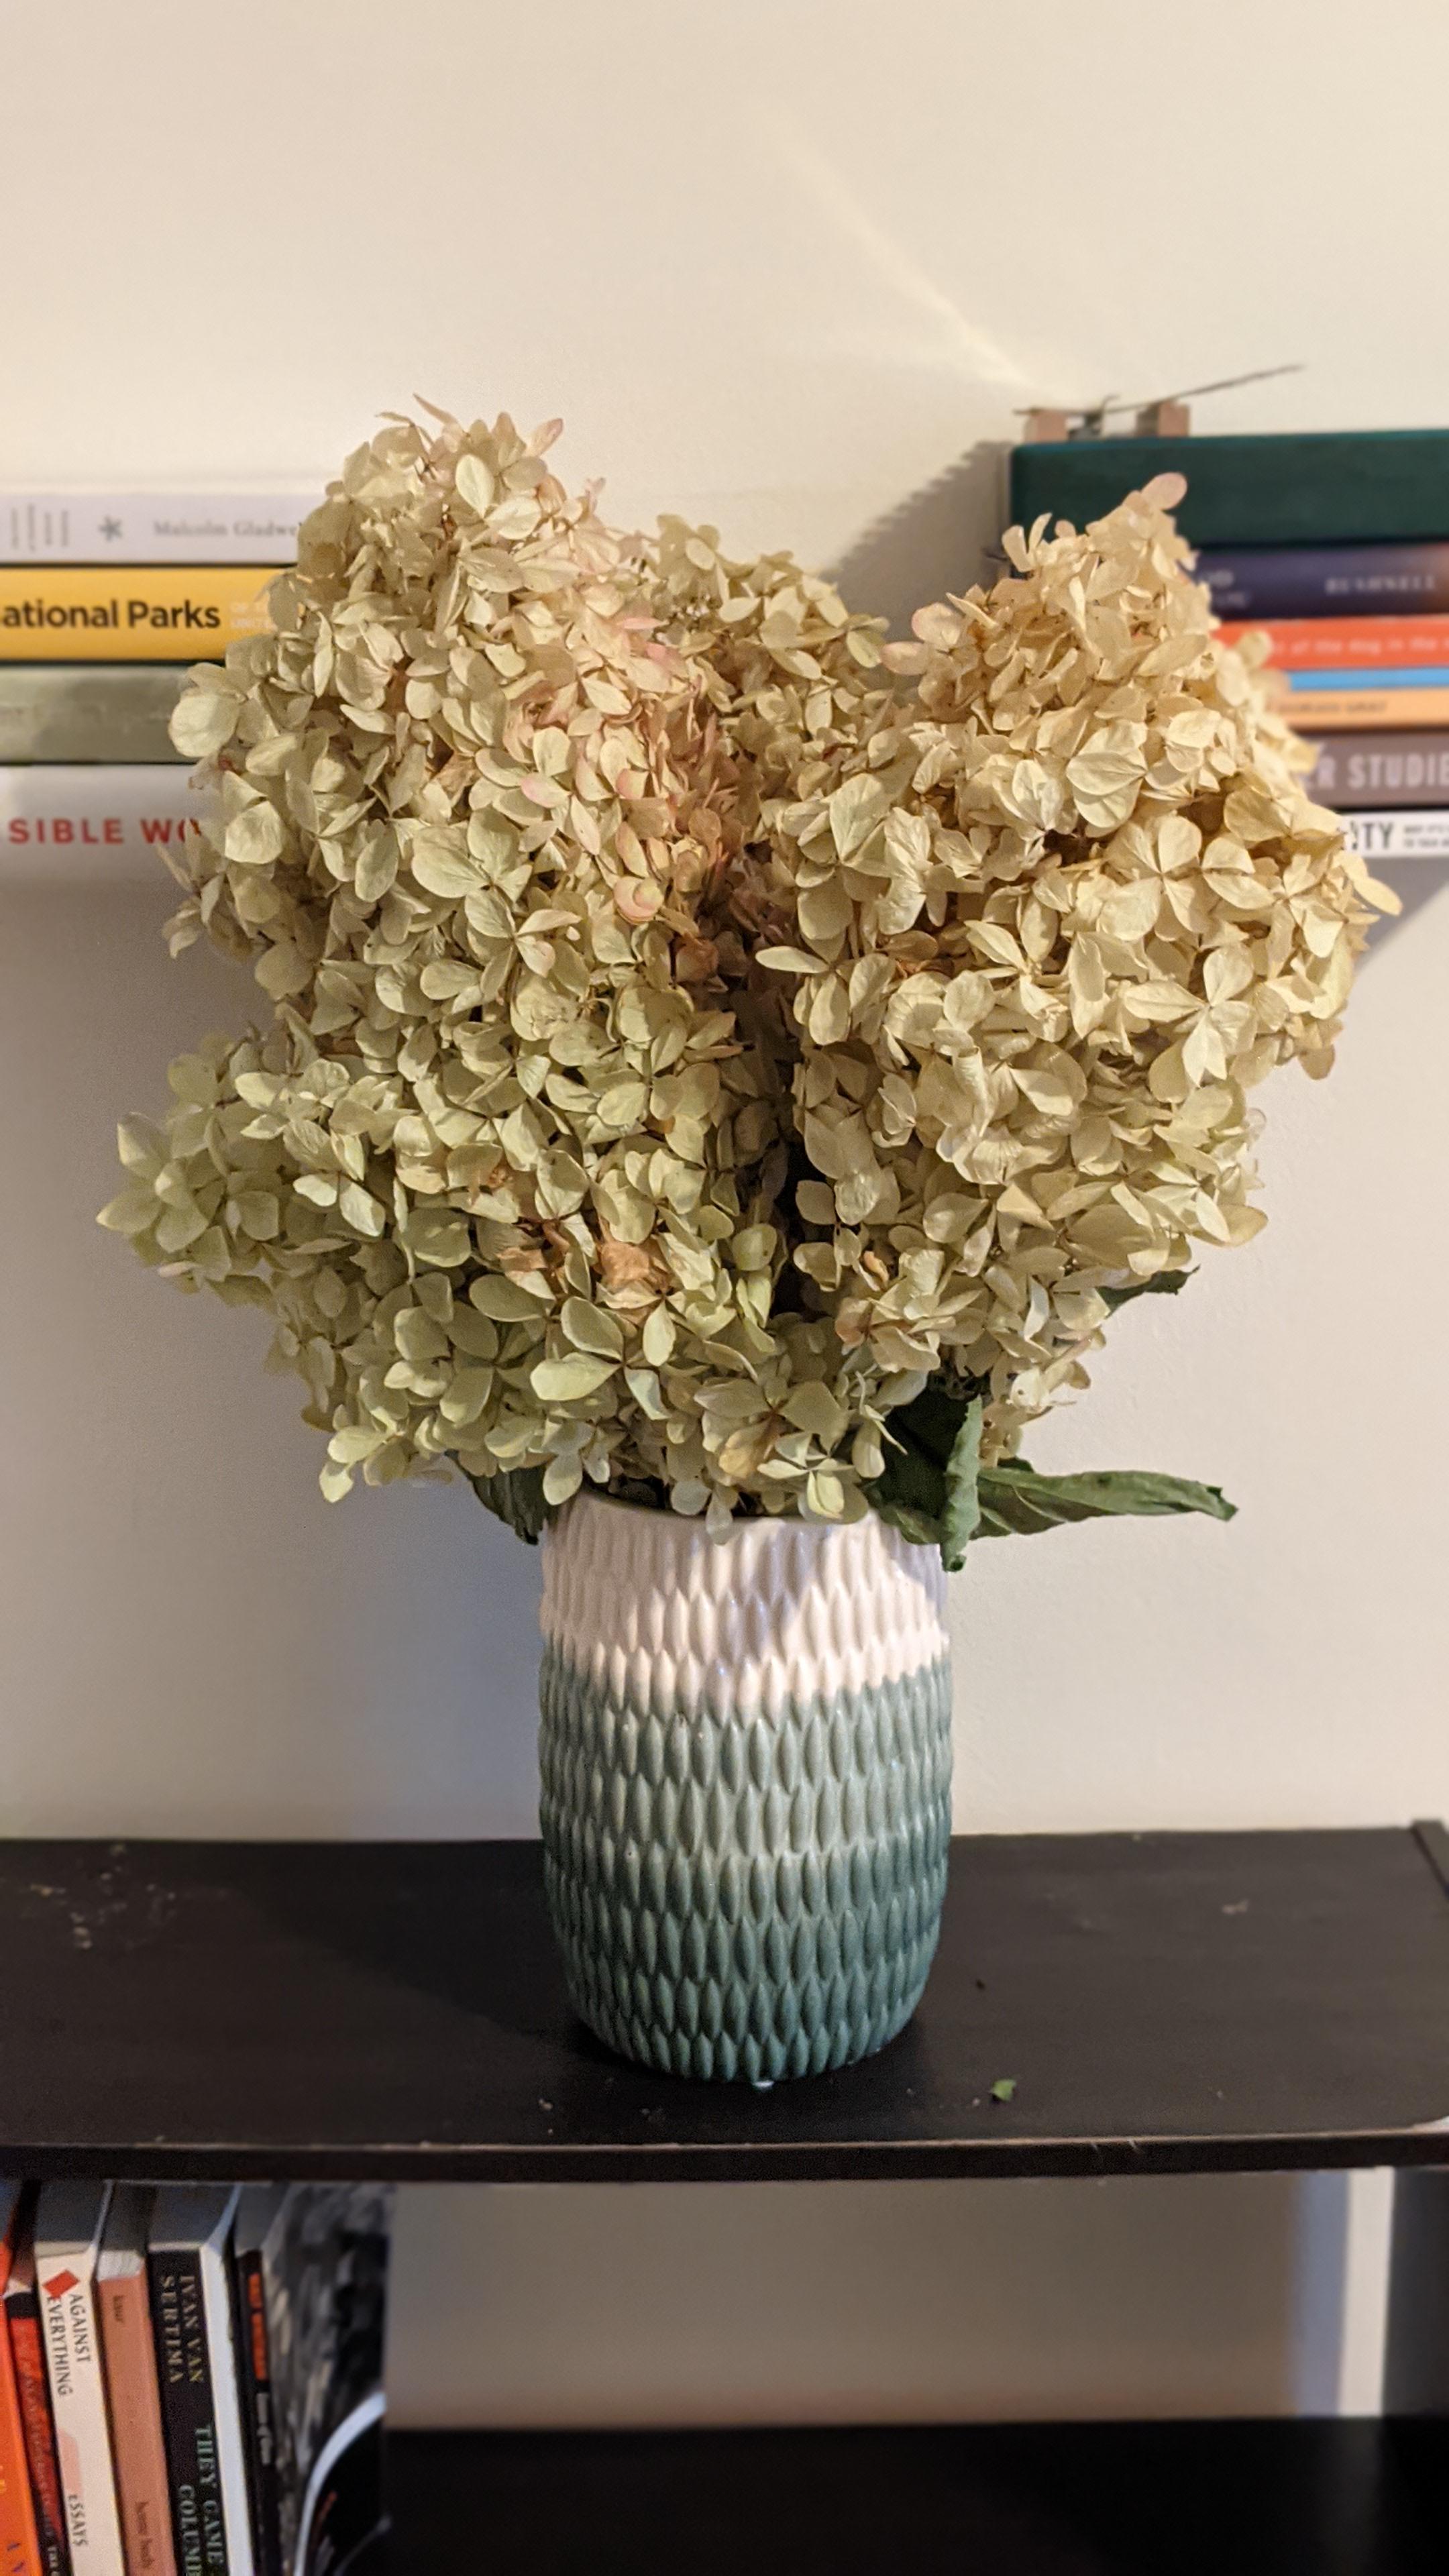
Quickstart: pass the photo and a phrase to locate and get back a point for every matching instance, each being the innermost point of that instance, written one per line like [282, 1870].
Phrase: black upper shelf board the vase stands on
[1164, 2003]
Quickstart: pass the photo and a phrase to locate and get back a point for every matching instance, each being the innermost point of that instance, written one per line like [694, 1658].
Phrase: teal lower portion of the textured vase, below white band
[746, 1897]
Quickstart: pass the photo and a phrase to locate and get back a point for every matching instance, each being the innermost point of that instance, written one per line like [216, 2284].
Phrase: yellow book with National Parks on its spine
[130, 612]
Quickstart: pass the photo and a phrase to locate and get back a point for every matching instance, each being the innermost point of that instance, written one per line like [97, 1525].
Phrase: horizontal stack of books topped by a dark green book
[1337, 547]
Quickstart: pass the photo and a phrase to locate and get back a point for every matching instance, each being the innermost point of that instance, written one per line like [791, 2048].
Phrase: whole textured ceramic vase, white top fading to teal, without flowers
[746, 1784]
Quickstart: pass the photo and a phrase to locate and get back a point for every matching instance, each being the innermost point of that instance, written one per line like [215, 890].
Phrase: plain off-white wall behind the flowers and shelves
[783, 264]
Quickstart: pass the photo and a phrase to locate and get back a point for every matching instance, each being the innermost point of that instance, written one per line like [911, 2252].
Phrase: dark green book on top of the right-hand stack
[1352, 488]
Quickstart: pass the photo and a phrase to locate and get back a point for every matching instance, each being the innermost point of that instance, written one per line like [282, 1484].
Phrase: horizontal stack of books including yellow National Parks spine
[104, 604]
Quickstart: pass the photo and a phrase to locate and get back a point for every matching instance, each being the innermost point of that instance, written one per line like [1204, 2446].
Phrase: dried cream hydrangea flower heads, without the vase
[687, 1021]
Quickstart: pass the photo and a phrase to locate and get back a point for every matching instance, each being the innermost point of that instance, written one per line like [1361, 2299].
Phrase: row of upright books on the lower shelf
[192, 2379]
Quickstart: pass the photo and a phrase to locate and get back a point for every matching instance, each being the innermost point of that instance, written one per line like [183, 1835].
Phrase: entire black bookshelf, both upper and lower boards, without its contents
[1162, 2003]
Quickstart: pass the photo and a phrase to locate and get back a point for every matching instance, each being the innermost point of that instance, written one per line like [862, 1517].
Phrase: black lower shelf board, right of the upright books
[1030, 2500]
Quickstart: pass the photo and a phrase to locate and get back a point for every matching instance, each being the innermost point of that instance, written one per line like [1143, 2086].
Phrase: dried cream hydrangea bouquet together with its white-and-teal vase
[721, 1078]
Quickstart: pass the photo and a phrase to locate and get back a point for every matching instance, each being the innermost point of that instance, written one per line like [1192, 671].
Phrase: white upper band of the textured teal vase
[783, 1611]
